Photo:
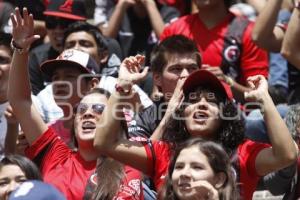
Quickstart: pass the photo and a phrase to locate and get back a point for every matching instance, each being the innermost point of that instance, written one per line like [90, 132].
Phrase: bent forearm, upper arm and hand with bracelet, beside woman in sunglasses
[107, 140]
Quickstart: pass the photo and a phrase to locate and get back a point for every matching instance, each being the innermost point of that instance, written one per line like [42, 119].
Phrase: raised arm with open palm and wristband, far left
[19, 87]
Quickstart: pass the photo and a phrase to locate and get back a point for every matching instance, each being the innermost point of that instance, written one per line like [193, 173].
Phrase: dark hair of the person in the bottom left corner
[30, 170]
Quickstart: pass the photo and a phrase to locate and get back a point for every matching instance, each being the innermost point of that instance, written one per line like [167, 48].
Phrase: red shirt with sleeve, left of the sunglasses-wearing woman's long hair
[60, 166]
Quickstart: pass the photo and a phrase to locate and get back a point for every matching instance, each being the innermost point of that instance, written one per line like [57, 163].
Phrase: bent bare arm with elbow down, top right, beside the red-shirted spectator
[265, 34]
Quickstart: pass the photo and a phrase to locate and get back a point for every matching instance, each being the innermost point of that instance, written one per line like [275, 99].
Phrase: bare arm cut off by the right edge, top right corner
[291, 43]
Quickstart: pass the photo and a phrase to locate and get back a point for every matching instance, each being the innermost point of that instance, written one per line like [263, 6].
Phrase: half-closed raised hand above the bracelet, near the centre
[129, 72]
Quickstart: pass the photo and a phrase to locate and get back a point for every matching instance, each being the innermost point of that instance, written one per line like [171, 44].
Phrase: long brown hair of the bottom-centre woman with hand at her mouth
[218, 160]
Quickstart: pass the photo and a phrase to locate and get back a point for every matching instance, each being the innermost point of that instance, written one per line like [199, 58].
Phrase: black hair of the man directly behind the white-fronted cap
[102, 44]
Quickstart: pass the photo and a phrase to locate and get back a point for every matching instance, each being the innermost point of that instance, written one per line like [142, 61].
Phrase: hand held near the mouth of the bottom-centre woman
[204, 189]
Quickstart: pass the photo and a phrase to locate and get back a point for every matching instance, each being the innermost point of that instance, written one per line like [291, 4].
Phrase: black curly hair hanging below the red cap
[230, 134]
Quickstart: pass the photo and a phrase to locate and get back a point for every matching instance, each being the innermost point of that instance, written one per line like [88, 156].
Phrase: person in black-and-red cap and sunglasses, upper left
[58, 15]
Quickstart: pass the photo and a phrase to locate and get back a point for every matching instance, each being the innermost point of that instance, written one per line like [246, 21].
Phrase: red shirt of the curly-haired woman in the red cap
[246, 151]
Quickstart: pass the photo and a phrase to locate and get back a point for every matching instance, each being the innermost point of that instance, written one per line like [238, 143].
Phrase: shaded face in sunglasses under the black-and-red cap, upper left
[56, 27]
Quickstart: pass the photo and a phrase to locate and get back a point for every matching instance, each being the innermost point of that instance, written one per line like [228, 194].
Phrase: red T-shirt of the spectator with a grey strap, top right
[210, 42]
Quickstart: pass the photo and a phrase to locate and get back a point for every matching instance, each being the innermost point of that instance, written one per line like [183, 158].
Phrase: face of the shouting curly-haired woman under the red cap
[202, 115]
